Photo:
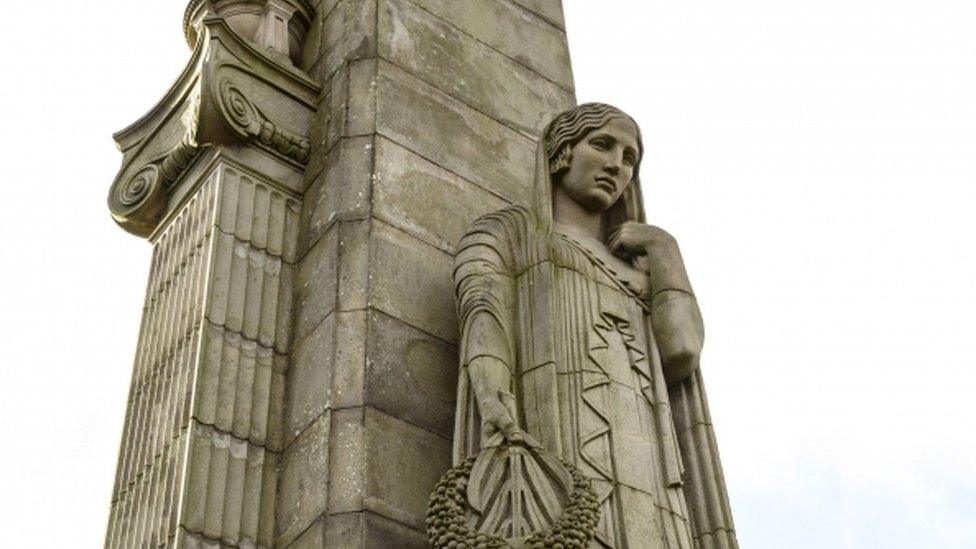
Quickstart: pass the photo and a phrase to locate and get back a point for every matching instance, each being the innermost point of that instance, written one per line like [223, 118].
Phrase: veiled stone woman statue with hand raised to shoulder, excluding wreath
[580, 332]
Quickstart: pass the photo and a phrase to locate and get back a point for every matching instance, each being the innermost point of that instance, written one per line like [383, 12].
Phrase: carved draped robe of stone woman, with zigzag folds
[589, 385]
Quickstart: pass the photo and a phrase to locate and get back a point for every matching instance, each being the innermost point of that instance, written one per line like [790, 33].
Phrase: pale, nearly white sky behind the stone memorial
[816, 160]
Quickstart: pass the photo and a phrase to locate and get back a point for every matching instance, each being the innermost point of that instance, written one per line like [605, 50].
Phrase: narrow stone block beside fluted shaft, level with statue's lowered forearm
[309, 378]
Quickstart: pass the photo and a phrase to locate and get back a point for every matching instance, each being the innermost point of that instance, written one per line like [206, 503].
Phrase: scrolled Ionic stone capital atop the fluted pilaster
[230, 92]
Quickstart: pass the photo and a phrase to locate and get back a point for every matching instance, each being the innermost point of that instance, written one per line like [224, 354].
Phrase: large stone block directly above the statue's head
[467, 69]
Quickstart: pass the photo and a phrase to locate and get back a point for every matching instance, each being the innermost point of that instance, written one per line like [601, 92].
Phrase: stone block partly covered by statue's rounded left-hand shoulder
[423, 199]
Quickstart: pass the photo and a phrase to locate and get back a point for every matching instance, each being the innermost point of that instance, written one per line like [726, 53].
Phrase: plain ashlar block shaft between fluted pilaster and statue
[429, 118]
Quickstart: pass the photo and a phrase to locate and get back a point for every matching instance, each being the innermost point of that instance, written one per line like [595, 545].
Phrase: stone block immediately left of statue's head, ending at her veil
[425, 120]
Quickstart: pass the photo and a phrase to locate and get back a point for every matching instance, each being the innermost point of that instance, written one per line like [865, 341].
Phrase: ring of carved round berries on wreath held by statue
[448, 529]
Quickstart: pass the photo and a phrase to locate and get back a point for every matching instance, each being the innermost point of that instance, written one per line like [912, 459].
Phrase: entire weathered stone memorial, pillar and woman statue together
[403, 294]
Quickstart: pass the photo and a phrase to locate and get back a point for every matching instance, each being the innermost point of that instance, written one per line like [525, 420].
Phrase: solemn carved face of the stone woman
[602, 165]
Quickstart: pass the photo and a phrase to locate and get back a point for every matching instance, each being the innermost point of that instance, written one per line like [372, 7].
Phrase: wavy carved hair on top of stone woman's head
[569, 127]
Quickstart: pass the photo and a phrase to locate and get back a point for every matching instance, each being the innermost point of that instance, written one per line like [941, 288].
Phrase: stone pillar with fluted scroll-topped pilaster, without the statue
[303, 185]
